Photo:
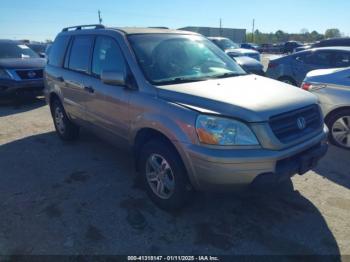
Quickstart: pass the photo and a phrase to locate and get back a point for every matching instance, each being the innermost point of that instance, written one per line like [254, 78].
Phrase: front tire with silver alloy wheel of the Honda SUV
[176, 190]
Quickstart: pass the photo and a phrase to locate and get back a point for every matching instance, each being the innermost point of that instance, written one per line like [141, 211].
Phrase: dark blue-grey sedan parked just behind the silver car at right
[292, 69]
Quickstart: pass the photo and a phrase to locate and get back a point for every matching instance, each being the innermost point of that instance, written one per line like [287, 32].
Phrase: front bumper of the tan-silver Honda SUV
[218, 169]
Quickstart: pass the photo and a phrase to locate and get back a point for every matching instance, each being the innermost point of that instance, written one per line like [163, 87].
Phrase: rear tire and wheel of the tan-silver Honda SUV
[65, 129]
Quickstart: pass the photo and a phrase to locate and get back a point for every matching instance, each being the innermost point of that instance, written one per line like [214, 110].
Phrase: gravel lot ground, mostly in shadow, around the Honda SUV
[81, 198]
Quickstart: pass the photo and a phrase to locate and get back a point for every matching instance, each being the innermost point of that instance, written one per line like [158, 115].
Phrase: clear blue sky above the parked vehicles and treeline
[40, 20]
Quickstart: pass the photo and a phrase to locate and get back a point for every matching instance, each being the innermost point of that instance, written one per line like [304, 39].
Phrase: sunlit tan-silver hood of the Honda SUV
[250, 97]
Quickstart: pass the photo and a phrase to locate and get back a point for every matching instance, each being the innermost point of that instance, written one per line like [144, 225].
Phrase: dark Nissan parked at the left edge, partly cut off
[21, 69]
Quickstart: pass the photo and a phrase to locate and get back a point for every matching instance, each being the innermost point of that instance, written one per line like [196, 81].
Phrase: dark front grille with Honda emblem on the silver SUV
[286, 128]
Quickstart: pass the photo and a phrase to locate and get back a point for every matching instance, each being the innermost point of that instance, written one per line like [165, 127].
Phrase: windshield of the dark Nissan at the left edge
[16, 50]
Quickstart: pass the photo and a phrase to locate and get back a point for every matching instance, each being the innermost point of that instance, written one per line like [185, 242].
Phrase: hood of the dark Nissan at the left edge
[22, 63]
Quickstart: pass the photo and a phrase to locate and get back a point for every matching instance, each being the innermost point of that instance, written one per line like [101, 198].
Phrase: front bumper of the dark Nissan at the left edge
[10, 87]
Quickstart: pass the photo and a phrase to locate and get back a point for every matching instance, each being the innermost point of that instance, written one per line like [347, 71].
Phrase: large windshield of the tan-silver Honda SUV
[173, 58]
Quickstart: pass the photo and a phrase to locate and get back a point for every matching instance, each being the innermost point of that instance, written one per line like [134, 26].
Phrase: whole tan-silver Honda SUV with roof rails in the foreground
[192, 117]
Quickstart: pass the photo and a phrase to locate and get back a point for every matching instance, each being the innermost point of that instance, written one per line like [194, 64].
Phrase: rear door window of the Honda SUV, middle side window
[81, 49]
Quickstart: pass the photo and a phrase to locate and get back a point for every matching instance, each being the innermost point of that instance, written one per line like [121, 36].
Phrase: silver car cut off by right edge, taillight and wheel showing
[332, 86]
